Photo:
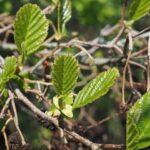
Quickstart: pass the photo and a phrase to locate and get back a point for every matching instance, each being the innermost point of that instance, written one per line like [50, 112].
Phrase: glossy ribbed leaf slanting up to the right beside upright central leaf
[96, 88]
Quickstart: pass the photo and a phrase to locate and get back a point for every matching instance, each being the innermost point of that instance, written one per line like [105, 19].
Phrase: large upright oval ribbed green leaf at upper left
[31, 29]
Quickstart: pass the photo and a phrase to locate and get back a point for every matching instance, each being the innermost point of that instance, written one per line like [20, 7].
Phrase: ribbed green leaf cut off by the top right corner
[138, 9]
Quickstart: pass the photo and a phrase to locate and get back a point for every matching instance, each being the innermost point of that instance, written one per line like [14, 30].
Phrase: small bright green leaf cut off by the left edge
[8, 71]
